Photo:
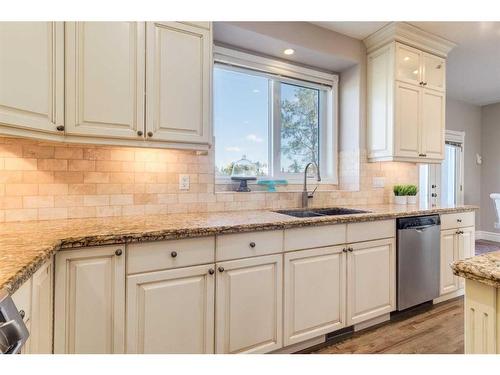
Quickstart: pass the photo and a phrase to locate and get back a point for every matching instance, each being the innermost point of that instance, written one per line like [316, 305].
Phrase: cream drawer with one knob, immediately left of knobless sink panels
[243, 245]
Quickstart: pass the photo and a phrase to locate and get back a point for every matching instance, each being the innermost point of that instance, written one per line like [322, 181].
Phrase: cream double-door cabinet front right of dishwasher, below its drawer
[456, 244]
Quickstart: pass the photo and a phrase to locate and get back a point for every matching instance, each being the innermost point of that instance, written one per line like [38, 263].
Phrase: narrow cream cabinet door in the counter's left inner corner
[41, 311]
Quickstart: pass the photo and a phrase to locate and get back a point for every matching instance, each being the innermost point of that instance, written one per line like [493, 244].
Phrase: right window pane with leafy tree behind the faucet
[299, 127]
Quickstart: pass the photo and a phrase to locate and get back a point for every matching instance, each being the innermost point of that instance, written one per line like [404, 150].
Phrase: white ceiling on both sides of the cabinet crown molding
[473, 67]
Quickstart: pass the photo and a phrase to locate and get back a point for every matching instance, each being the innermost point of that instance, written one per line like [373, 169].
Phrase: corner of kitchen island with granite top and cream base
[482, 302]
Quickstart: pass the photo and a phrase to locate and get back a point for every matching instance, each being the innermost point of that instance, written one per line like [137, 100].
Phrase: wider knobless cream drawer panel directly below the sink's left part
[317, 236]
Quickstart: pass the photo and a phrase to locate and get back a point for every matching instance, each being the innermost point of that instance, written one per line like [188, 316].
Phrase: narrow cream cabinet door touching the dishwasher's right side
[449, 253]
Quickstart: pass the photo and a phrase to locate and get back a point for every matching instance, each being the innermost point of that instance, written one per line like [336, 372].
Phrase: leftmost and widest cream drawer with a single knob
[151, 256]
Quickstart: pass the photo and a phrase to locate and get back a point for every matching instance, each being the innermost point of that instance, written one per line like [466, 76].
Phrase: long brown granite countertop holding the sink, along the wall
[25, 246]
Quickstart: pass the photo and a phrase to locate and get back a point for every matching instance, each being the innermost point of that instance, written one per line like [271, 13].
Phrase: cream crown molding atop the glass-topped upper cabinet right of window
[410, 35]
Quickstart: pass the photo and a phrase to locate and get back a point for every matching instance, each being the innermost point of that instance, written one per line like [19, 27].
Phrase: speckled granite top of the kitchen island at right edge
[483, 268]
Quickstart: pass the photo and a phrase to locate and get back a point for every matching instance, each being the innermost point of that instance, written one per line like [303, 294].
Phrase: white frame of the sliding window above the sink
[281, 72]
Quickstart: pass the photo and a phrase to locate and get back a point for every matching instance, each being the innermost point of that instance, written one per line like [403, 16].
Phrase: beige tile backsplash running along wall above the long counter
[44, 181]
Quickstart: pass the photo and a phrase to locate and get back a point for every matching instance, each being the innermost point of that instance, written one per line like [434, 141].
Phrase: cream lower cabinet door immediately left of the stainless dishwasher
[371, 280]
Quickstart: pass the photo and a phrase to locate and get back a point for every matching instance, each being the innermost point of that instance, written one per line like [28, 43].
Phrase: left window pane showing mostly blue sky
[241, 120]
